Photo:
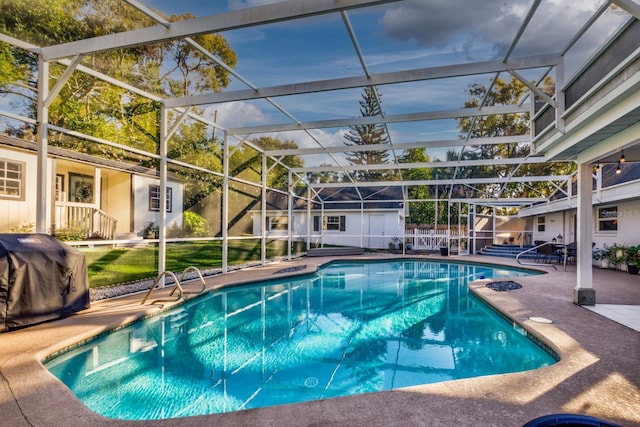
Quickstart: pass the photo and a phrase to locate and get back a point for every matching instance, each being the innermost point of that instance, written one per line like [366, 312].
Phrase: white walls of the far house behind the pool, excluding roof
[355, 233]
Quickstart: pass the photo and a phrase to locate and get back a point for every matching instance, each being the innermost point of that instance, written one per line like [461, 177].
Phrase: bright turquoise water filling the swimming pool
[351, 328]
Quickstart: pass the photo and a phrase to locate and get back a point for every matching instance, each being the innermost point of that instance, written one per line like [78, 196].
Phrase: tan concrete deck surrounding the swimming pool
[598, 374]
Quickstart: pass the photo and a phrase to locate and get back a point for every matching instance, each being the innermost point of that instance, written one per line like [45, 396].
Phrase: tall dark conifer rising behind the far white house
[368, 134]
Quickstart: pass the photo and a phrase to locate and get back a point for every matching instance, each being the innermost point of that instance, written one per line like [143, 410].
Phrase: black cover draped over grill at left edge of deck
[41, 279]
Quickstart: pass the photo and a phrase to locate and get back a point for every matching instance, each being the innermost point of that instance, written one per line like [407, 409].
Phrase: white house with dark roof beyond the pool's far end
[344, 220]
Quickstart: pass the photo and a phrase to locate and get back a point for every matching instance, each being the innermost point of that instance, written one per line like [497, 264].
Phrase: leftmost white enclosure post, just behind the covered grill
[42, 146]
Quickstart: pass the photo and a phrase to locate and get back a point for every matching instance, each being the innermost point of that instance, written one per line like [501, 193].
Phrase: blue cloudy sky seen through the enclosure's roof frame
[406, 35]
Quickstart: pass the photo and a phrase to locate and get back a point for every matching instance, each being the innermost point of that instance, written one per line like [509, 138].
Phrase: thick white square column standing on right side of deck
[583, 293]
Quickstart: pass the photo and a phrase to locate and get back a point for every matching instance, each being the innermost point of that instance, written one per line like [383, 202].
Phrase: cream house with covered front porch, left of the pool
[103, 198]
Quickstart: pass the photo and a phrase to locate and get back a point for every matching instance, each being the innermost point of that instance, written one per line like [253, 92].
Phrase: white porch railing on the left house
[93, 222]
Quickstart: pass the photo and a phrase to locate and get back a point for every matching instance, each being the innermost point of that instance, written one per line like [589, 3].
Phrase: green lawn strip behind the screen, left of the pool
[110, 266]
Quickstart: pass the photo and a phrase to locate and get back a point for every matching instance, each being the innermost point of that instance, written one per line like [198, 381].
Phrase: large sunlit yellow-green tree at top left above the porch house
[89, 105]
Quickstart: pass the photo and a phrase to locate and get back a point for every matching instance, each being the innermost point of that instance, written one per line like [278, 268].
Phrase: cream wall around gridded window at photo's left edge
[16, 213]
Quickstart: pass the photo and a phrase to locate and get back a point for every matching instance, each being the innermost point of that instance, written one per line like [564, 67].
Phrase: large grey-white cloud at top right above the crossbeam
[473, 25]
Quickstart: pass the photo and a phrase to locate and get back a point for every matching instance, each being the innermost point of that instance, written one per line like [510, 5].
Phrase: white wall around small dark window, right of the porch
[142, 214]
